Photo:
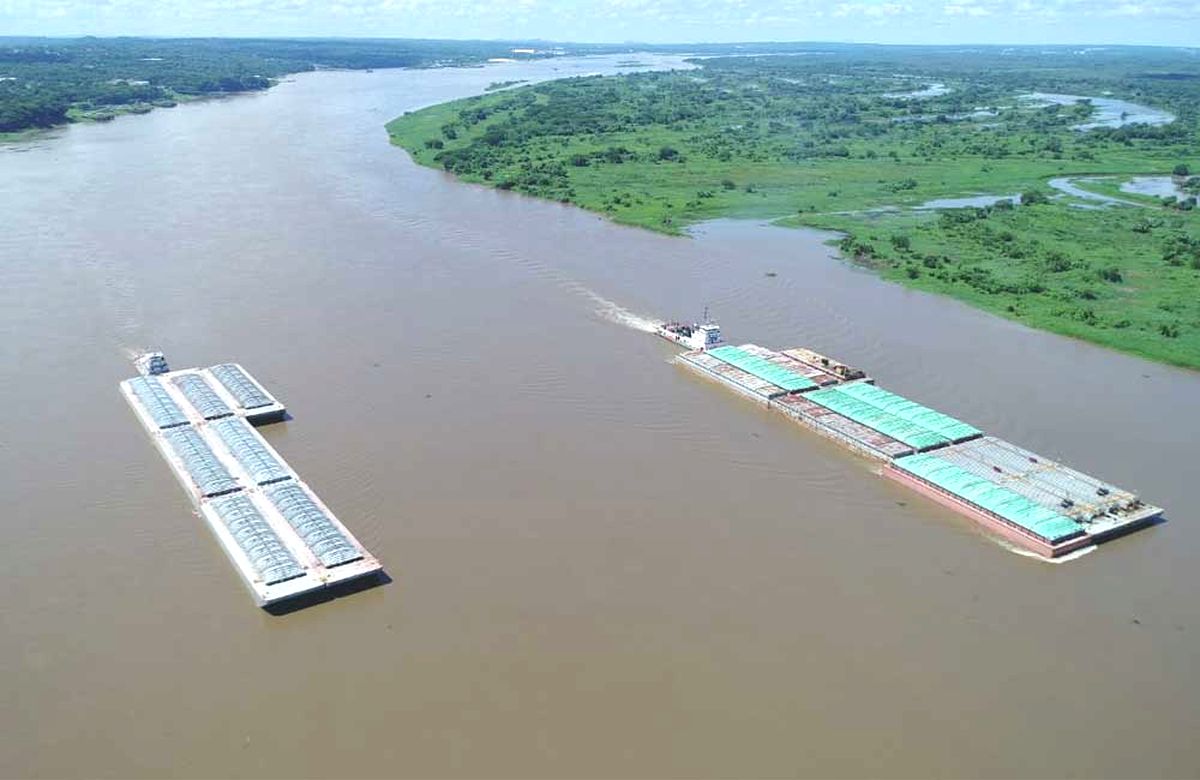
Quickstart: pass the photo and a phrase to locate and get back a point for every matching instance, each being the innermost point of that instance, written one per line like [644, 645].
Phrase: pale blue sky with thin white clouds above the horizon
[1097, 22]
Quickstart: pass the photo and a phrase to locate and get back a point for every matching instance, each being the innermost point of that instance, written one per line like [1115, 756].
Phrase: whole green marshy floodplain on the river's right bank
[856, 140]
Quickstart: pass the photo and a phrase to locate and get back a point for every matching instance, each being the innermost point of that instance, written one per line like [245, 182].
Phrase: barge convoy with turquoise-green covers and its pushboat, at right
[1031, 501]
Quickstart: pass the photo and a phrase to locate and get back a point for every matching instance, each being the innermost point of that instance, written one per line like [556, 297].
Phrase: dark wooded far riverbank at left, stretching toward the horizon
[47, 82]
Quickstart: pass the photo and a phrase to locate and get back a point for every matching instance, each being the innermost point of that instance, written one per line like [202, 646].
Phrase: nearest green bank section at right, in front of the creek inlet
[979, 259]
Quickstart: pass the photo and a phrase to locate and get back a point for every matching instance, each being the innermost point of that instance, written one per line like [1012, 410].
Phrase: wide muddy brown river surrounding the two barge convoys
[601, 565]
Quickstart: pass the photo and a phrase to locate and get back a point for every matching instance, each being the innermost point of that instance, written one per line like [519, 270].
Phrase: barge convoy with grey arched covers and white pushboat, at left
[283, 539]
